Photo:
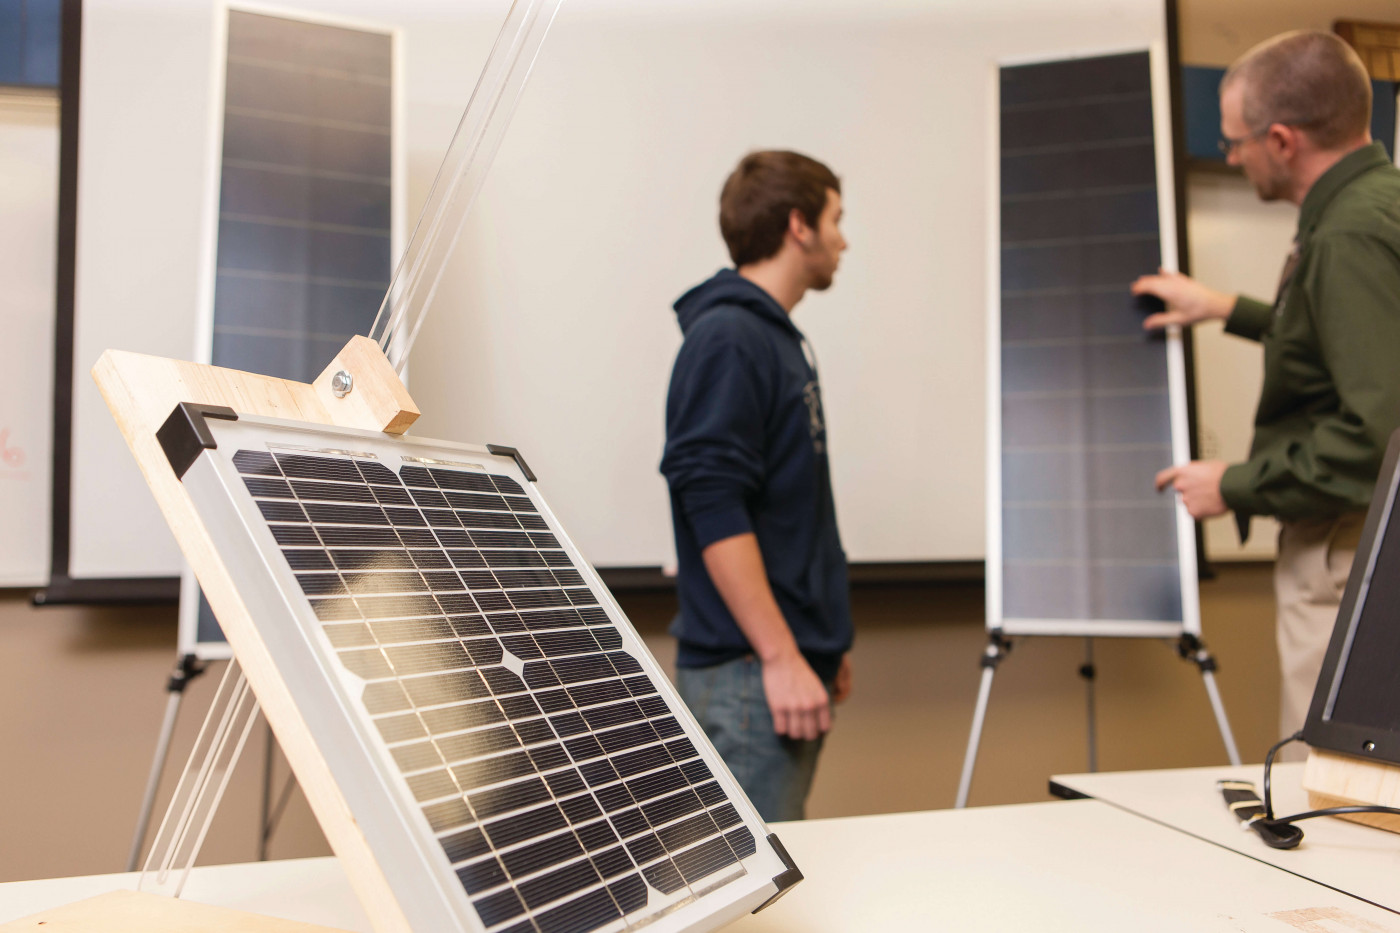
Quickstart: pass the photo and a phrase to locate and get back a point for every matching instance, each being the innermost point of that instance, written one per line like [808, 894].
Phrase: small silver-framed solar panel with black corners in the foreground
[506, 750]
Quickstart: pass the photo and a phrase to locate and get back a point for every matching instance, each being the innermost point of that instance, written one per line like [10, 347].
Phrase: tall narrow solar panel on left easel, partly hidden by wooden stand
[306, 208]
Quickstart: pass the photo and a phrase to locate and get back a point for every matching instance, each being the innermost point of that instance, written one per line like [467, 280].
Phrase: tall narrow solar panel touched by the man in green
[1087, 407]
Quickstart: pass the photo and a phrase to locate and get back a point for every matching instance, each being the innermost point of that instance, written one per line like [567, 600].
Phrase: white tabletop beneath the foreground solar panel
[1079, 866]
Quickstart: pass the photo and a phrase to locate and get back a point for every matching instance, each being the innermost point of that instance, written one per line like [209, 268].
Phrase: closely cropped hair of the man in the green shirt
[1312, 81]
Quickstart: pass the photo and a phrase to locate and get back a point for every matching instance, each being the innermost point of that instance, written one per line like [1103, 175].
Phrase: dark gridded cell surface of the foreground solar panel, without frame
[538, 749]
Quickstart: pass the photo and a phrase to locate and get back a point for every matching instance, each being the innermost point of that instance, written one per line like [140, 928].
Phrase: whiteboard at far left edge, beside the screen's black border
[29, 244]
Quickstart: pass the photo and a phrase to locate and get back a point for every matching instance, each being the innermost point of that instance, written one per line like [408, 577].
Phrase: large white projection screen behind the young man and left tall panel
[554, 331]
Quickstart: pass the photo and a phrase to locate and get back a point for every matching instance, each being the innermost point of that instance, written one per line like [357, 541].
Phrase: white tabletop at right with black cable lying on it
[1347, 857]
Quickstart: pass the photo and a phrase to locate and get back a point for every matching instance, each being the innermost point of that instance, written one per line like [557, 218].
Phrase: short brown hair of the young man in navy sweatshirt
[761, 195]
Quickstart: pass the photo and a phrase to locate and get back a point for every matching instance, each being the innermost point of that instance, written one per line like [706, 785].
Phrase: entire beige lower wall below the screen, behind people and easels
[83, 694]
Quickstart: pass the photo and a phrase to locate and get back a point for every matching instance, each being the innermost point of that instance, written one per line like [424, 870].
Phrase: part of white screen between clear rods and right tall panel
[572, 263]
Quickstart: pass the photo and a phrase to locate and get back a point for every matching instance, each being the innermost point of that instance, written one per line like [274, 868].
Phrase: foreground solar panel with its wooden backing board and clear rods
[484, 739]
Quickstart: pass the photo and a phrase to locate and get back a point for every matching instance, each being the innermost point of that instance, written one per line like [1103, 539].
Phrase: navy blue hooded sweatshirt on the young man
[747, 452]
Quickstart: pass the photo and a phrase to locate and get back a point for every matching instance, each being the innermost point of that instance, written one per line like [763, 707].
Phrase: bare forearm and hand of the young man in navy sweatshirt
[797, 700]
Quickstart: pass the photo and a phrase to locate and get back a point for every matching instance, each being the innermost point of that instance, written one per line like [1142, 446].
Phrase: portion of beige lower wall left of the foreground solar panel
[83, 694]
